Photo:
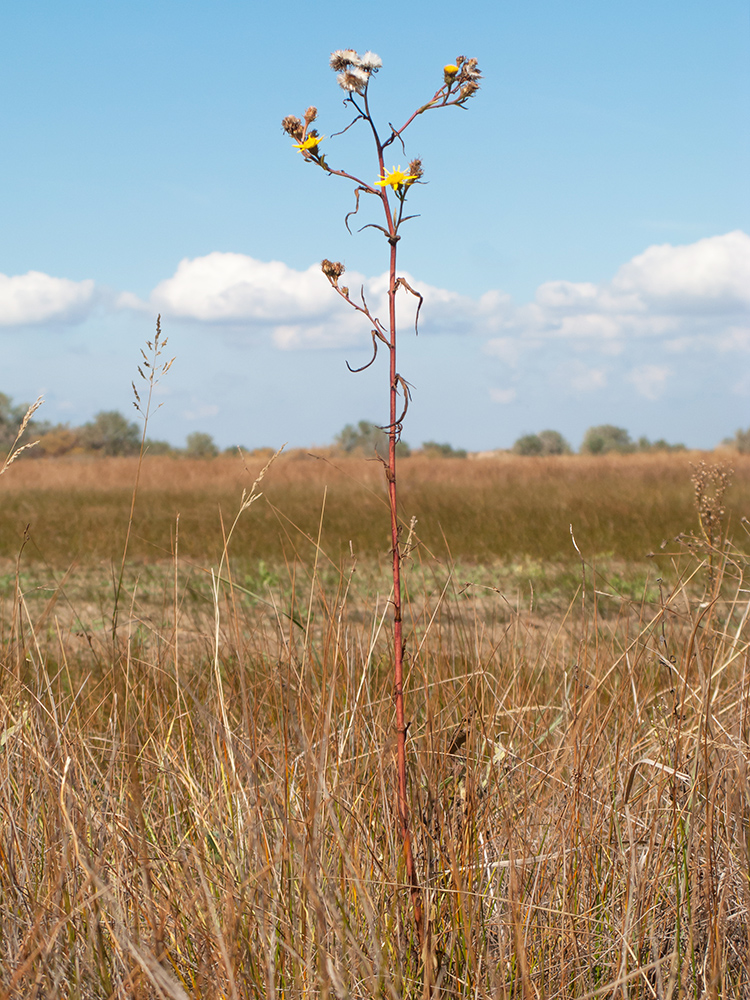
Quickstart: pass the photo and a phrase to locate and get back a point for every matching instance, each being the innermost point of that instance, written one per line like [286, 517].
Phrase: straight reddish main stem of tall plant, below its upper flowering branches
[398, 642]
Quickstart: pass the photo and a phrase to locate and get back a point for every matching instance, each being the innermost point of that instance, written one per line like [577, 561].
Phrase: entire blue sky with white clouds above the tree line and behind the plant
[582, 241]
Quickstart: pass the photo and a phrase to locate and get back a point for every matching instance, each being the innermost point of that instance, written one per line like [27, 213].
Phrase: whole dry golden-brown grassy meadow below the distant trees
[197, 799]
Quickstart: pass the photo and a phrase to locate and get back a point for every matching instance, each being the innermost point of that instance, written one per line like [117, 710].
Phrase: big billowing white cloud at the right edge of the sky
[668, 301]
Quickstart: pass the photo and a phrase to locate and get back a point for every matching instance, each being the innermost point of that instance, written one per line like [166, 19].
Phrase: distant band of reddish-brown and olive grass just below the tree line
[471, 510]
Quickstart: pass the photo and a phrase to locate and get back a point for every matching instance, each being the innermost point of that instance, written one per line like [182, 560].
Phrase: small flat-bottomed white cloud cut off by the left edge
[39, 298]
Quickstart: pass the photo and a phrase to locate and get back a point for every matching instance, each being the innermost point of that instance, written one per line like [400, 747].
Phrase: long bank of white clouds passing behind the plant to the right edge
[685, 298]
